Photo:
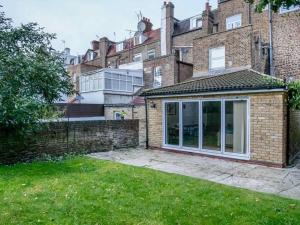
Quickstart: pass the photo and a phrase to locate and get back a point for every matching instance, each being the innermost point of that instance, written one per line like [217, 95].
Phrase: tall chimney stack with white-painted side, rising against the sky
[167, 27]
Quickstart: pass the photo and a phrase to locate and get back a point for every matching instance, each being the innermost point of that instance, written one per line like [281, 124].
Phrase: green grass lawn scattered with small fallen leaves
[86, 191]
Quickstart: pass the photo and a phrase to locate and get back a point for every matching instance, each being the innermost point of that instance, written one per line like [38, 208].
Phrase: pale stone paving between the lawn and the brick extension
[284, 182]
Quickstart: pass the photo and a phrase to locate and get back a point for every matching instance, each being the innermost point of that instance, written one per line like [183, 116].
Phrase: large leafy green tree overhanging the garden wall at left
[32, 76]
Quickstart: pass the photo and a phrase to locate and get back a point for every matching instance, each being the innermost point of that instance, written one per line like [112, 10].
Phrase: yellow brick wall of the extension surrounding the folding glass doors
[267, 139]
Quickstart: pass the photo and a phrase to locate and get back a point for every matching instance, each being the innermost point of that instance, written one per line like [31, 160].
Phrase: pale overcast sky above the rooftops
[78, 22]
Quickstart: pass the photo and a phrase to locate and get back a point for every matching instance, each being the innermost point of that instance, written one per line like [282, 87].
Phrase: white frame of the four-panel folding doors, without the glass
[222, 153]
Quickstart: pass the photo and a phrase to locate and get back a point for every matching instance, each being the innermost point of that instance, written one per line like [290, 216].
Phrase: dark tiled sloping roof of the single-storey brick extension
[242, 80]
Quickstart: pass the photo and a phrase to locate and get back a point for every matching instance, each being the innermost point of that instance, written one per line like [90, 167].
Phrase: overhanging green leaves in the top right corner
[276, 4]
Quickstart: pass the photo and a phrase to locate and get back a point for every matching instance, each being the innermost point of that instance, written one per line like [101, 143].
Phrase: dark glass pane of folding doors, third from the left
[211, 122]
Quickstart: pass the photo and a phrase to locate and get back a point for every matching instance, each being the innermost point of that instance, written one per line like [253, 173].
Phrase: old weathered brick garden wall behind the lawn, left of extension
[69, 137]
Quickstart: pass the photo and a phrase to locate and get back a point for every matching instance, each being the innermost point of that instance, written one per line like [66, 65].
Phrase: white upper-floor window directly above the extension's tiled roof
[217, 58]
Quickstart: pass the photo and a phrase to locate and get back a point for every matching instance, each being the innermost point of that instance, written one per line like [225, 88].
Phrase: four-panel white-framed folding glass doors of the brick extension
[212, 126]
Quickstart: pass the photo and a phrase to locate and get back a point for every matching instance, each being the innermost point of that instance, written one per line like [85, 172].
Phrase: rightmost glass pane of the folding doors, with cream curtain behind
[236, 127]
